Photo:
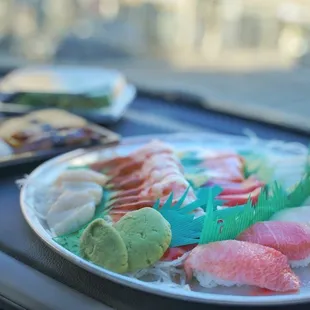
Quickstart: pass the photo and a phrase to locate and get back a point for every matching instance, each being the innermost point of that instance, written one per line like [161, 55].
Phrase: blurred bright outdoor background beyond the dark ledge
[247, 51]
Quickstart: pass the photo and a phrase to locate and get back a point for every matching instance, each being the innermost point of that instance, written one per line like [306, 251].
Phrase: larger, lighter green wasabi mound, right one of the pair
[147, 236]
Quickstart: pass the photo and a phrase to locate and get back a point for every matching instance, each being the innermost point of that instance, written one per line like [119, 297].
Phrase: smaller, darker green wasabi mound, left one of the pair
[101, 244]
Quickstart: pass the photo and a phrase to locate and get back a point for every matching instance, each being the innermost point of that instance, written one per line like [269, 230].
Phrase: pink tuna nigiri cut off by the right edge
[291, 239]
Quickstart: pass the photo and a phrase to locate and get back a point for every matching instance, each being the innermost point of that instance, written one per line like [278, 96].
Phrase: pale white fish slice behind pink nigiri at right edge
[298, 215]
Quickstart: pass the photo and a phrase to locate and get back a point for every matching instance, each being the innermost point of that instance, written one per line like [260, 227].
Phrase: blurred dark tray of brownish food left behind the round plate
[46, 133]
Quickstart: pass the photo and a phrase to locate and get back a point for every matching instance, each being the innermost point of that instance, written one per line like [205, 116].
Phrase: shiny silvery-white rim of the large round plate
[198, 297]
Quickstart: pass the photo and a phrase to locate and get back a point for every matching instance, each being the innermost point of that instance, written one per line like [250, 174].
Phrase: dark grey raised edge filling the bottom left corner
[19, 283]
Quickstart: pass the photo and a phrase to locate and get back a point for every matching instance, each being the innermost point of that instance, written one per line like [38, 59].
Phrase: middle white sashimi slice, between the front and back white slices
[94, 190]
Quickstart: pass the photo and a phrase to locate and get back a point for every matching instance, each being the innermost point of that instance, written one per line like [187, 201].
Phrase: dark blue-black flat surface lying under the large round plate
[146, 116]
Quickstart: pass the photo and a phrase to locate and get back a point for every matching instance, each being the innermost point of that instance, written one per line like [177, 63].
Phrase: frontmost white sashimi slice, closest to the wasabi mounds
[70, 212]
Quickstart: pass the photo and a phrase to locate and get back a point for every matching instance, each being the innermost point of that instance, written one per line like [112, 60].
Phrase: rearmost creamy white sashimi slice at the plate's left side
[82, 175]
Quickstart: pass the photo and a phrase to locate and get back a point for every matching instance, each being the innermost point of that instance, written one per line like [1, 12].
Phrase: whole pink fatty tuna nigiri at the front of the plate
[235, 262]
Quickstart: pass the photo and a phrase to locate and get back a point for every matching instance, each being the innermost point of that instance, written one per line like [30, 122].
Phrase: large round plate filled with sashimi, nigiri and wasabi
[209, 218]
